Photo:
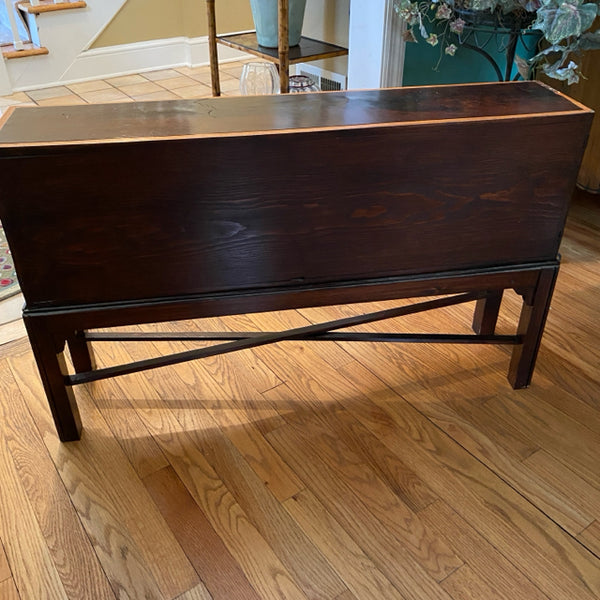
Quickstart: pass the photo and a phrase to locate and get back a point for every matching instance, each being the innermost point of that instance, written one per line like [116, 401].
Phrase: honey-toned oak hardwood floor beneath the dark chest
[318, 470]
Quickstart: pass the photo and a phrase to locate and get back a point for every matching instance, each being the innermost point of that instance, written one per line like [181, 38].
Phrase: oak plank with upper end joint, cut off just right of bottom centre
[356, 569]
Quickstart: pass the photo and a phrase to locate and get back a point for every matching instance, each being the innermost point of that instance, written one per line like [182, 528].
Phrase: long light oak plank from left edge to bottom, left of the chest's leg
[66, 540]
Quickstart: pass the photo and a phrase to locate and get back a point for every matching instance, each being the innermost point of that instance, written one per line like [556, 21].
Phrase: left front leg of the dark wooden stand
[52, 367]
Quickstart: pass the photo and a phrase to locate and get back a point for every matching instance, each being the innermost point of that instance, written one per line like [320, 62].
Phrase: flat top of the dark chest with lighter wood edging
[252, 115]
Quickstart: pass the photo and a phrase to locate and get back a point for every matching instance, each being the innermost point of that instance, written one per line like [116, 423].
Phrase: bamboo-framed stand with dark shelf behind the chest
[307, 50]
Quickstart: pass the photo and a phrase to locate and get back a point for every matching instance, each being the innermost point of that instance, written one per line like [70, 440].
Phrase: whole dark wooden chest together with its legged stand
[177, 210]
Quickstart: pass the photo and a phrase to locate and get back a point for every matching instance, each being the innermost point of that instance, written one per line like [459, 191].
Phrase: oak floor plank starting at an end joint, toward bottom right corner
[482, 558]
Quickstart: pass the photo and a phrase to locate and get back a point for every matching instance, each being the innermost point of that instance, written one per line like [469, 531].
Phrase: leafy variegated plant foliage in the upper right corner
[566, 27]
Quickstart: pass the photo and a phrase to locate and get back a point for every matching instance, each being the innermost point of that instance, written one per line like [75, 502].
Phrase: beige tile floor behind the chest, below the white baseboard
[165, 84]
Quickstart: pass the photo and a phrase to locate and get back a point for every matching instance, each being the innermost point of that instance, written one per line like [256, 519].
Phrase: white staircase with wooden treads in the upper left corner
[47, 38]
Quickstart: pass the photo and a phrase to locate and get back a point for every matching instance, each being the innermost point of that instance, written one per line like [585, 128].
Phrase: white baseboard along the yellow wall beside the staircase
[113, 61]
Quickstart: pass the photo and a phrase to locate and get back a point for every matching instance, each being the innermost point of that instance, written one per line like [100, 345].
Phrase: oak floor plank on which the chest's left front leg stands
[137, 550]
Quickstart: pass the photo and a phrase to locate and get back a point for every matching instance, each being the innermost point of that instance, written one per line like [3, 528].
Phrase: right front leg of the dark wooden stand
[531, 327]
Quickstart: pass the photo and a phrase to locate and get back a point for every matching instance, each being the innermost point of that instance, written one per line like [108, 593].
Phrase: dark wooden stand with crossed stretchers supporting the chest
[50, 331]
